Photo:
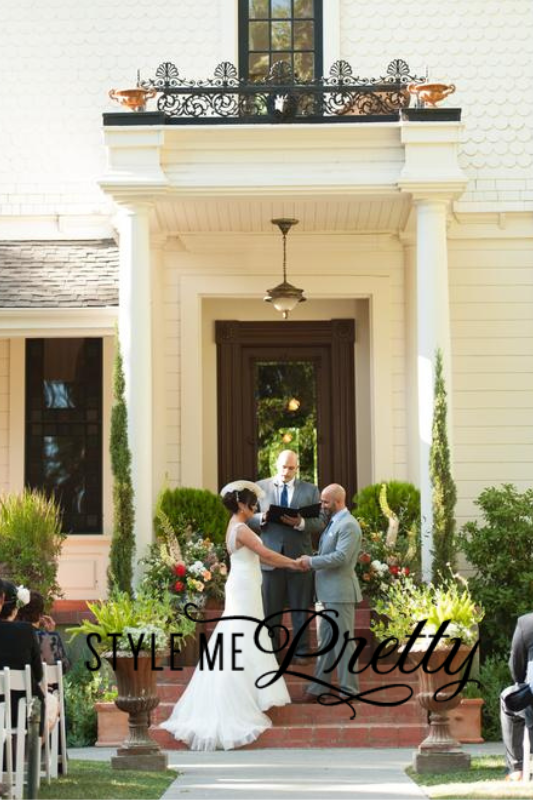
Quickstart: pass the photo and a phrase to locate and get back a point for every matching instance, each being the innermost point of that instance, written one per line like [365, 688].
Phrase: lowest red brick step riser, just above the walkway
[320, 736]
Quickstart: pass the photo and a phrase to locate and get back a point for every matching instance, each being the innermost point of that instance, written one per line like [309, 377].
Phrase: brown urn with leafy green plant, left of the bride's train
[132, 634]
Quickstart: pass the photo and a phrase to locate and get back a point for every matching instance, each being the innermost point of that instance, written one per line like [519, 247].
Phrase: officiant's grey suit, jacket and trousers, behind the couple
[282, 586]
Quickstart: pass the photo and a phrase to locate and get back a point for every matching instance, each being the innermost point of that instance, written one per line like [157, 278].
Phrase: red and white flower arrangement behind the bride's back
[192, 573]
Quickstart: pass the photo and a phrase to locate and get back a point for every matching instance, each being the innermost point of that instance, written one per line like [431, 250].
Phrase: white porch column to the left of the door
[135, 333]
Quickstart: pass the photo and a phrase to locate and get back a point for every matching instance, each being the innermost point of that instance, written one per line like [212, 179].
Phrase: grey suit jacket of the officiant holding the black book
[282, 538]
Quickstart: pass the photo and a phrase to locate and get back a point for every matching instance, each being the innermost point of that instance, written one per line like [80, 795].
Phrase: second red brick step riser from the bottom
[317, 714]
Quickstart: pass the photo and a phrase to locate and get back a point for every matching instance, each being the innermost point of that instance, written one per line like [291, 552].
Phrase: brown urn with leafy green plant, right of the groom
[445, 647]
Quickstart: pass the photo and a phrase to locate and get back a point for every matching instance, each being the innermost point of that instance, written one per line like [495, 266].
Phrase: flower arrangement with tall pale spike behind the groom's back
[386, 557]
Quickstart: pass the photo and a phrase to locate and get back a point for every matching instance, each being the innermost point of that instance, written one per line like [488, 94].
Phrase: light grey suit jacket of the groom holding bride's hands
[335, 578]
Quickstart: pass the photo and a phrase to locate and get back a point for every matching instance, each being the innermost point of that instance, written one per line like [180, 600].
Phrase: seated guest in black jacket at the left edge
[18, 641]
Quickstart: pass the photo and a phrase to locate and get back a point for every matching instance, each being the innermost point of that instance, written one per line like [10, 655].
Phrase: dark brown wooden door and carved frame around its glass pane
[326, 349]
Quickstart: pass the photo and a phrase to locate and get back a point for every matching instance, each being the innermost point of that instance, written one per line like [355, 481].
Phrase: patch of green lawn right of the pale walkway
[483, 781]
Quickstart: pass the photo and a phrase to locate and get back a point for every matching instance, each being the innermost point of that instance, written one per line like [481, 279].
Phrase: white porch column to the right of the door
[432, 332]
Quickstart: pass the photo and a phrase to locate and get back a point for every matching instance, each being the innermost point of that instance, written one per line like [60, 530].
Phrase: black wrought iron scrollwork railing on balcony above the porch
[281, 97]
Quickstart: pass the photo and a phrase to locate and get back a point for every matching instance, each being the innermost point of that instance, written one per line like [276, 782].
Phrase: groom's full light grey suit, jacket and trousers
[337, 588]
